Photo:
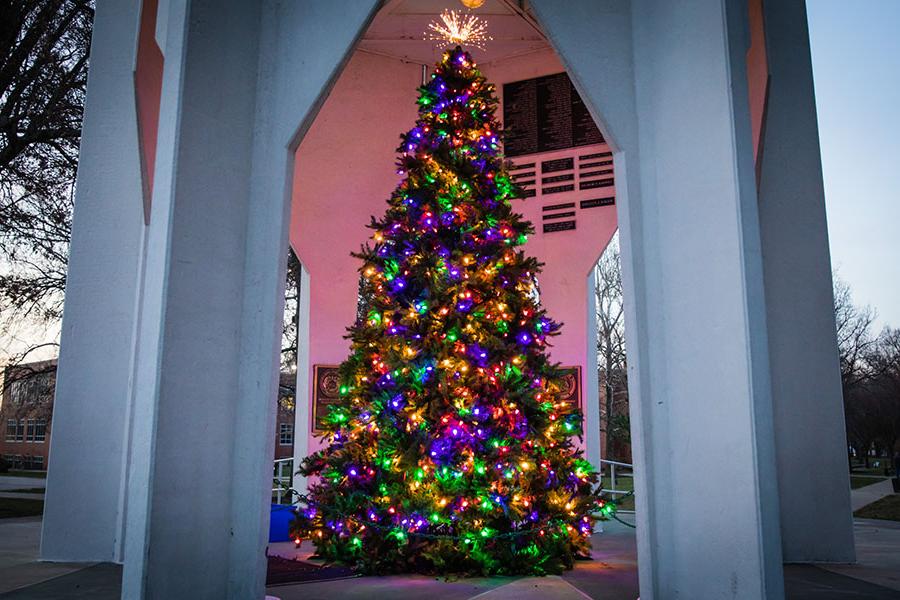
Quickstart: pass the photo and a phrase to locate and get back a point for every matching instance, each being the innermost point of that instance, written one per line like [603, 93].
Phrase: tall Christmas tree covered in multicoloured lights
[452, 450]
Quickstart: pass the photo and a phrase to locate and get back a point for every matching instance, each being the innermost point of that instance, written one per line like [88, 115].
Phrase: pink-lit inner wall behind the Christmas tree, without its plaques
[345, 172]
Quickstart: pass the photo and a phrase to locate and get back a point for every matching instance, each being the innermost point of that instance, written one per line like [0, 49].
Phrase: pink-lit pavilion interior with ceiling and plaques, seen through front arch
[344, 171]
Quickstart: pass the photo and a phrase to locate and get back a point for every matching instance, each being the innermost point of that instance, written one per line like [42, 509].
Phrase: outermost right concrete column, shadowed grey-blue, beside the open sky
[816, 521]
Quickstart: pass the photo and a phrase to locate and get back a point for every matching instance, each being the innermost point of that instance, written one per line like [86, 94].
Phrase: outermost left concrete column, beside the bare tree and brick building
[85, 487]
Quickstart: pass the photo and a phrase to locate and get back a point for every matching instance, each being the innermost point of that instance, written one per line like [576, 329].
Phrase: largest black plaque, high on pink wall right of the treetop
[545, 114]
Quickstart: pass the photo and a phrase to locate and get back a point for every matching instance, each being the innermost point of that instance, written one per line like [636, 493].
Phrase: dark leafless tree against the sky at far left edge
[44, 50]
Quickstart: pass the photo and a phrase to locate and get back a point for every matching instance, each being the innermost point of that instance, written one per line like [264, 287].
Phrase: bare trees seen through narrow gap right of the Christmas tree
[611, 357]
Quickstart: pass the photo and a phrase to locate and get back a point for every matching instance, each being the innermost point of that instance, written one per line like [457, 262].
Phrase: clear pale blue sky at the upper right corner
[856, 65]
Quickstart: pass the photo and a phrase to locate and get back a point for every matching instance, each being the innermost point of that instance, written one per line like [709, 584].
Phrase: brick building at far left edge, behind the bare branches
[26, 412]
